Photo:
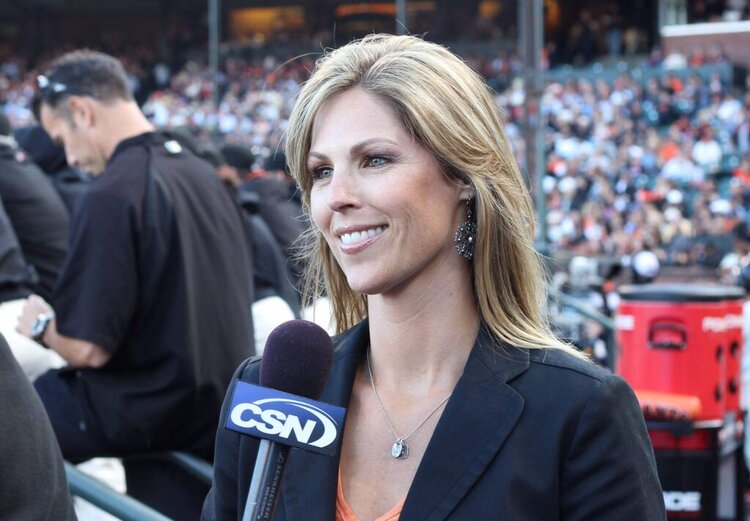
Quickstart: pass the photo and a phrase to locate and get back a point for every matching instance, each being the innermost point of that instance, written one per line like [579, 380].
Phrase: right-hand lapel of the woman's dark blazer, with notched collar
[476, 421]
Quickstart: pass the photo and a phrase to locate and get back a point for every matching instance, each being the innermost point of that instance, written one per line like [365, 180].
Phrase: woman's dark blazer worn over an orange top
[527, 435]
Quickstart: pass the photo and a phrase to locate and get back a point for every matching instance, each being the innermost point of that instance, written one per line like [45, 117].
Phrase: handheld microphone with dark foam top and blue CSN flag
[282, 411]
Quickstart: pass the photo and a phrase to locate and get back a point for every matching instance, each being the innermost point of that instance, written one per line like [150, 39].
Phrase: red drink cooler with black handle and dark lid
[674, 338]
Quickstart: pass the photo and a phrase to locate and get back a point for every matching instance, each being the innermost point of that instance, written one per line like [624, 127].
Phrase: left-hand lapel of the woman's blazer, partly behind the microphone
[311, 495]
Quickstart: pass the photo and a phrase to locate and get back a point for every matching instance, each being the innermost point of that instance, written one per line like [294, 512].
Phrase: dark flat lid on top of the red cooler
[672, 292]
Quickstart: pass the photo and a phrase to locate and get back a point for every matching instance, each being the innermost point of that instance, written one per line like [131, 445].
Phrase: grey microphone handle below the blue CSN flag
[264, 487]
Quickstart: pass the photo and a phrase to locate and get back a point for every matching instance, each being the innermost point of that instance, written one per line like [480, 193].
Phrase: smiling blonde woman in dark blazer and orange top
[461, 404]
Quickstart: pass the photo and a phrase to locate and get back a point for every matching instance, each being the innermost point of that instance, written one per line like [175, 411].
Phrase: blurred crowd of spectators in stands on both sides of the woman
[661, 164]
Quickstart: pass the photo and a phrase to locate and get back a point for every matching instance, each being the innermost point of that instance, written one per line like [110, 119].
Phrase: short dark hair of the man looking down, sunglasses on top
[82, 73]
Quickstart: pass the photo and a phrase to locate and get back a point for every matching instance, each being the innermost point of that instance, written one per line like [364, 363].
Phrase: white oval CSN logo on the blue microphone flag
[268, 417]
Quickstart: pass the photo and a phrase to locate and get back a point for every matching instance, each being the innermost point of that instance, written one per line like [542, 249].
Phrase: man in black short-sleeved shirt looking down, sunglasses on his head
[152, 308]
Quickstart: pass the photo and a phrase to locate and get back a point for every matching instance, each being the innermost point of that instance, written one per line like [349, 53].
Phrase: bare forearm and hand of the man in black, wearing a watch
[77, 352]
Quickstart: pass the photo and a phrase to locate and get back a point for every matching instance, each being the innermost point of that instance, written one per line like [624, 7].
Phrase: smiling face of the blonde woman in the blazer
[379, 198]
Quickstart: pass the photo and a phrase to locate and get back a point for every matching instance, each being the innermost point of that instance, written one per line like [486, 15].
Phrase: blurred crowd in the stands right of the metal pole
[656, 166]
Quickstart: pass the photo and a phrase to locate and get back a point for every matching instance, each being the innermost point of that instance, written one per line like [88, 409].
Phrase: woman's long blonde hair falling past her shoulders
[450, 110]
